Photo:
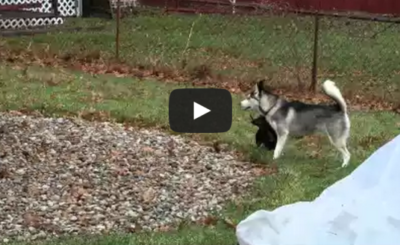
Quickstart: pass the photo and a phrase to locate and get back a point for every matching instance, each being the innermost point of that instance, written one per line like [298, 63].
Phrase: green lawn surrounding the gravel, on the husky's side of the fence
[307, 167]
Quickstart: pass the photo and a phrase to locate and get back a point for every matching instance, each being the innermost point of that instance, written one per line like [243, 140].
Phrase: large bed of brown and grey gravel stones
[61, 176]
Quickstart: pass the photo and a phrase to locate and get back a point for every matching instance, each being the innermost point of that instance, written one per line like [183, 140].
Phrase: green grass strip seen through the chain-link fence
[357, 54]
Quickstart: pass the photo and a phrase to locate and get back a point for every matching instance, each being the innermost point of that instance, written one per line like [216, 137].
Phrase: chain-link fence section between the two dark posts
[234, 46]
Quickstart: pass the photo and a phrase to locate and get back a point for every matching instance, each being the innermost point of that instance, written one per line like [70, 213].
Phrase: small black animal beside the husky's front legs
[266, 134]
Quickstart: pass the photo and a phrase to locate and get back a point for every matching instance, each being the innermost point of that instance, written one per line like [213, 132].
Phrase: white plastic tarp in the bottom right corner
[361, 209]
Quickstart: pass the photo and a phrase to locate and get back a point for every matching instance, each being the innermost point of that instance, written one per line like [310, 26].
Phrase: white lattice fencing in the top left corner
[65, 8]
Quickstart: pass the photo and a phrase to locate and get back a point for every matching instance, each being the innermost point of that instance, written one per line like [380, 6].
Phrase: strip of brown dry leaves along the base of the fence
[94, 64]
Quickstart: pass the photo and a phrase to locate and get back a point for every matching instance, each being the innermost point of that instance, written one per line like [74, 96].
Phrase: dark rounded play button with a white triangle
[200, 110]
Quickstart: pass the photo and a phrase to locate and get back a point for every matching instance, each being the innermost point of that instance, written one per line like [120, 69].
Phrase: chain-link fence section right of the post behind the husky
[362, 55]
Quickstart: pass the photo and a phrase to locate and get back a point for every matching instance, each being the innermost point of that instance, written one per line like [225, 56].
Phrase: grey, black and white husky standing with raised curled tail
[299, 119]
